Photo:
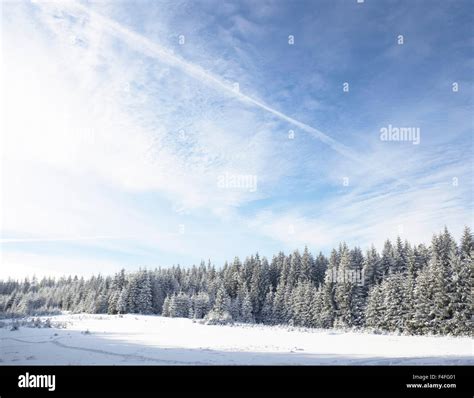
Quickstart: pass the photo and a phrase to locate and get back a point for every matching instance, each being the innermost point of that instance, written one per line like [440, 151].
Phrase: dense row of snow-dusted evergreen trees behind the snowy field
[407, 288]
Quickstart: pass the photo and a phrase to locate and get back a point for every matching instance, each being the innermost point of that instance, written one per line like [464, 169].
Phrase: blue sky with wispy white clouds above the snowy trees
[116, 133]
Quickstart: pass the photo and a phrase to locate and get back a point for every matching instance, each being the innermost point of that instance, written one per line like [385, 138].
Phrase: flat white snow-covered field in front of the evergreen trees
[153, 340]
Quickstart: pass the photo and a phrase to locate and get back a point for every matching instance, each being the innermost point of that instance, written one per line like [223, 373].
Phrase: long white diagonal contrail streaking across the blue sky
[157, 51]
